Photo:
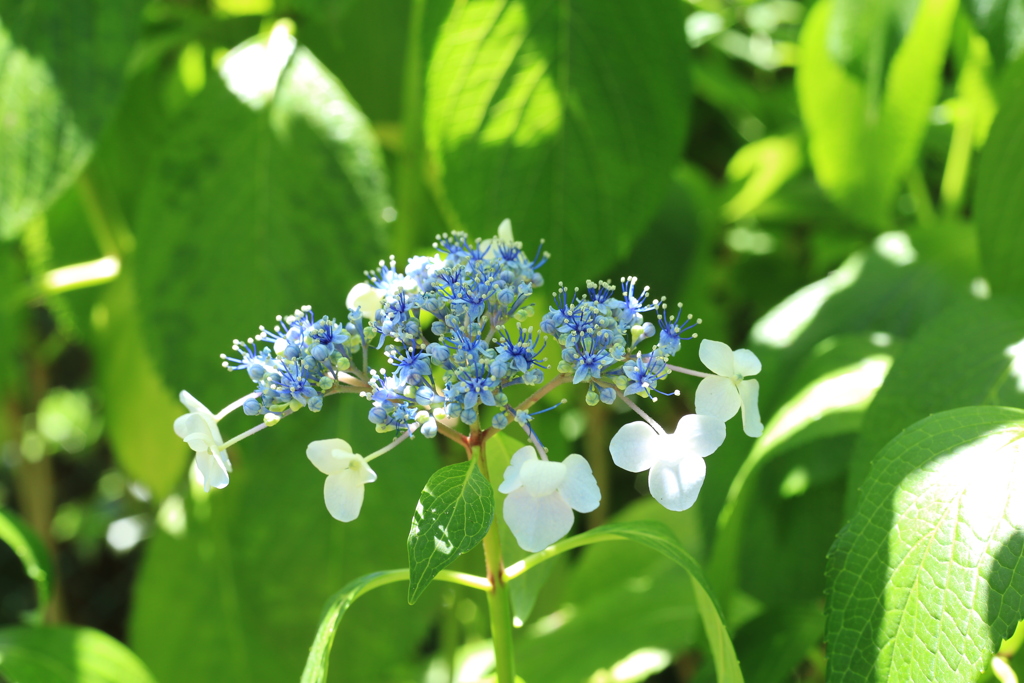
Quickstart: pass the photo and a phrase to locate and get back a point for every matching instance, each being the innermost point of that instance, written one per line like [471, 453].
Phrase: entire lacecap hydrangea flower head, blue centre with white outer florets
[457, 370]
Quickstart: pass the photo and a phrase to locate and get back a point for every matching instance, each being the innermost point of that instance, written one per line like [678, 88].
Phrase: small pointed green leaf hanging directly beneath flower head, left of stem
[453, 516]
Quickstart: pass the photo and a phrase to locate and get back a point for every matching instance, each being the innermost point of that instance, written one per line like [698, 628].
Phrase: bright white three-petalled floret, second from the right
[675, 461]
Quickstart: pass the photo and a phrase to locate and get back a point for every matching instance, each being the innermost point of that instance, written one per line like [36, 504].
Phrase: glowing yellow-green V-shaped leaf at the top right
[863, 145]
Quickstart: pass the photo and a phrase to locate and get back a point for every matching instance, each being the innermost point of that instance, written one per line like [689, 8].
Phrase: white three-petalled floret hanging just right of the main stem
[542, 496]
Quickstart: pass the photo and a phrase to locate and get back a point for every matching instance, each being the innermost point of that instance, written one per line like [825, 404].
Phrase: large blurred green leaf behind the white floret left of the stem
[240, 595]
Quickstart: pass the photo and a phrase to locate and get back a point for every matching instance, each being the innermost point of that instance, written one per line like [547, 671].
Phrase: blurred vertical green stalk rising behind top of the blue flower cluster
[410, 182]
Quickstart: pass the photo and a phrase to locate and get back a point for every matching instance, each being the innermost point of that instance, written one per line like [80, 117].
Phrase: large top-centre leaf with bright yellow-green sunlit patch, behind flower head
[565, 117]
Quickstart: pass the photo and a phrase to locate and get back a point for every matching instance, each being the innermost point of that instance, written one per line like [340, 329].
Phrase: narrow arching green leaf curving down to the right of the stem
[657, 537]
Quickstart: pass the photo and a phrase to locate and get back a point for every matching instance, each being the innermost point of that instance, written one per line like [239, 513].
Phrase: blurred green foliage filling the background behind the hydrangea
[837, 185]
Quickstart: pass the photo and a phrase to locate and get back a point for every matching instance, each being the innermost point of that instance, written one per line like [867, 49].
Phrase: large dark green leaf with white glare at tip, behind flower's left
[249, 214]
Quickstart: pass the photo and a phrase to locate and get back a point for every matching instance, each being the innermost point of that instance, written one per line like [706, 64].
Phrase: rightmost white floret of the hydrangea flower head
[731, 393]
